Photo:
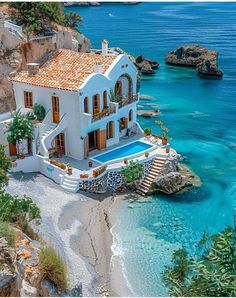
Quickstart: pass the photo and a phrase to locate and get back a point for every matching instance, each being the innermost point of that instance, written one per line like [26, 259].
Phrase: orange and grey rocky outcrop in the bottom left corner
[20, 274]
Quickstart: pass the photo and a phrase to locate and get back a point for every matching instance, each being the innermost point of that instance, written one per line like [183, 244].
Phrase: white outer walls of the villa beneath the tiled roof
[80, 124]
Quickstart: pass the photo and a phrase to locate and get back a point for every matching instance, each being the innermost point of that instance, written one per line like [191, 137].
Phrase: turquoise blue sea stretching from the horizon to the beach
[201, 115]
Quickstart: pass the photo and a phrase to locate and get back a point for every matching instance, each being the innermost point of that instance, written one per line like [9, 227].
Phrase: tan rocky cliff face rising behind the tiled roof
[15, 53]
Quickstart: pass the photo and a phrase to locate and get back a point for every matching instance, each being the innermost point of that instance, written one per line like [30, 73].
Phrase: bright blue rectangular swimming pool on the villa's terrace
[124, 151]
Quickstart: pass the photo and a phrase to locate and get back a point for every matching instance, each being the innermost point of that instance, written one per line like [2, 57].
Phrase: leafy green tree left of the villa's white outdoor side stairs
[20, 128]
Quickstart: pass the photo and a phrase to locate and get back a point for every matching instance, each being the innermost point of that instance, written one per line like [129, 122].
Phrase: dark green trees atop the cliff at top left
[38, 17]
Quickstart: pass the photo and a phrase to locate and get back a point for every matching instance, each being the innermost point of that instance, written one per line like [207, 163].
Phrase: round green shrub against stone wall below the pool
[133, 171]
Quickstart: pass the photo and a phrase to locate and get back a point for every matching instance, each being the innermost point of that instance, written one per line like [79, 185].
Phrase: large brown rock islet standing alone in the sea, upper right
[195, 55]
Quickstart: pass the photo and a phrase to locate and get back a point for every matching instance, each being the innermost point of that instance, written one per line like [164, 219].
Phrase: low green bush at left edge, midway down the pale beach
[13, 209]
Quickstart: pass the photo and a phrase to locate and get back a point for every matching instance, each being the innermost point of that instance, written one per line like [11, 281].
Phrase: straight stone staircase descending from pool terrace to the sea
[150, 177]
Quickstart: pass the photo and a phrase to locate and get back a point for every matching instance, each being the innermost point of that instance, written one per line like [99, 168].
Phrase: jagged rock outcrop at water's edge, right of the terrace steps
[174, 177]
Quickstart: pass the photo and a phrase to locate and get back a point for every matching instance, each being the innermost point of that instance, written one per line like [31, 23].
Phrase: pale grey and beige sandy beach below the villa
[79, 227]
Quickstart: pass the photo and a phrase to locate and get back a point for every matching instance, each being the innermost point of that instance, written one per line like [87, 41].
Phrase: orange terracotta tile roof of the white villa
[66, 70]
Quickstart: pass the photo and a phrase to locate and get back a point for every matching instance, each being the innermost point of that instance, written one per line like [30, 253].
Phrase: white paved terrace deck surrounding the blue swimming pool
[81, 166]
